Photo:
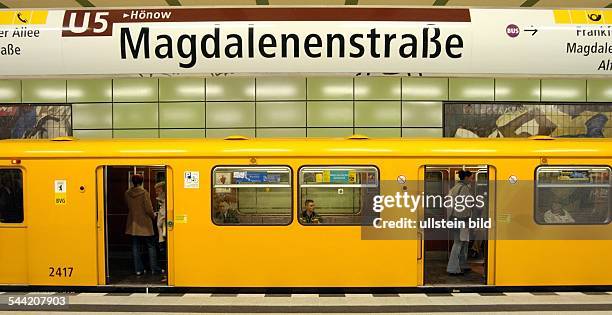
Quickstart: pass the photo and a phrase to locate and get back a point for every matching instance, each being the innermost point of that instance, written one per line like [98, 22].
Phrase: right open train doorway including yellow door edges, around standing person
[436, 243]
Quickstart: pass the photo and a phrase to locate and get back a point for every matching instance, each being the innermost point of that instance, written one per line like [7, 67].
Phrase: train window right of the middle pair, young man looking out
[337, 195]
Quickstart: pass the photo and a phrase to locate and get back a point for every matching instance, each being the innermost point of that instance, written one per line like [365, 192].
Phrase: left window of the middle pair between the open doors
[252, 195]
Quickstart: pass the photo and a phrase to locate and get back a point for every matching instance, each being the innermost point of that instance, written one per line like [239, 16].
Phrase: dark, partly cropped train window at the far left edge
[11, 196]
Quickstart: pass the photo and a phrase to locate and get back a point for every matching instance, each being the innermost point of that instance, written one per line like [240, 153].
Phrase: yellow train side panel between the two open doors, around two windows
[282, 256]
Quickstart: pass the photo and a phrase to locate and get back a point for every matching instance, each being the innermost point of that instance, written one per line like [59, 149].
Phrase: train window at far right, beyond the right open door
[573, 195]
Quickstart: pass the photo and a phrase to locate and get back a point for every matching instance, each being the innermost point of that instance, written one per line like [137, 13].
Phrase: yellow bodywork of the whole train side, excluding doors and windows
[202, 254]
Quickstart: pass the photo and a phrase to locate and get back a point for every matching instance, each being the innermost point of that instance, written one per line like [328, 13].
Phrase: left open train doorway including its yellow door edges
[116, 254]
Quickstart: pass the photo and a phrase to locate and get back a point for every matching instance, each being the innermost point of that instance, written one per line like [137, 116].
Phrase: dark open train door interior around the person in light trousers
[437, 242]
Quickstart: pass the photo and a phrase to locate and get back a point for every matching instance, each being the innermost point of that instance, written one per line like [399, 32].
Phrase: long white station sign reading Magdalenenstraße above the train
[305, 40]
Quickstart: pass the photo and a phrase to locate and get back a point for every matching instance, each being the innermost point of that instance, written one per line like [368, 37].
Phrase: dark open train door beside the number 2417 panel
[129, 260]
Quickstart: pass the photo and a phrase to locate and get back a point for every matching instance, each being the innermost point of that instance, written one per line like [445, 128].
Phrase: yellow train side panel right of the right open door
[529, 254]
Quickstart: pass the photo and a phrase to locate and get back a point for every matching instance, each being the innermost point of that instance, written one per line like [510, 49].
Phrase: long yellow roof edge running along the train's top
[357, 146]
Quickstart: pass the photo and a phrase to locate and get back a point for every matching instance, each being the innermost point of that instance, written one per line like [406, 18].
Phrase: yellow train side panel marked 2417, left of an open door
[61, 237]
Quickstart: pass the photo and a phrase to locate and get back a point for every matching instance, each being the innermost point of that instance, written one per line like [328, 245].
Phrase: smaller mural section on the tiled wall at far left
[35, 121]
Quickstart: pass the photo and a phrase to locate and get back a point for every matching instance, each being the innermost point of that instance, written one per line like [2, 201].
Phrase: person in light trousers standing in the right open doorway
[457, 261]
